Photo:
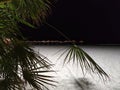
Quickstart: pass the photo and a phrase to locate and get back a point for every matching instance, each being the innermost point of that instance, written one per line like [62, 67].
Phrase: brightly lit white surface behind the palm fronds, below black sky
[108, 57]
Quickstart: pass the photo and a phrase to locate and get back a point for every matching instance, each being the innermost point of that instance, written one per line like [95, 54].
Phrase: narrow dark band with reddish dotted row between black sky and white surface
[68, 42]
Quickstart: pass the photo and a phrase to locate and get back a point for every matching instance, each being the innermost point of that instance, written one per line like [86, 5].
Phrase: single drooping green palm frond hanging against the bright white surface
[76, 54]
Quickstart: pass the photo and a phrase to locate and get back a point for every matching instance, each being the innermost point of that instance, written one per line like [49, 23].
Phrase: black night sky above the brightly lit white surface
[93, 21]
